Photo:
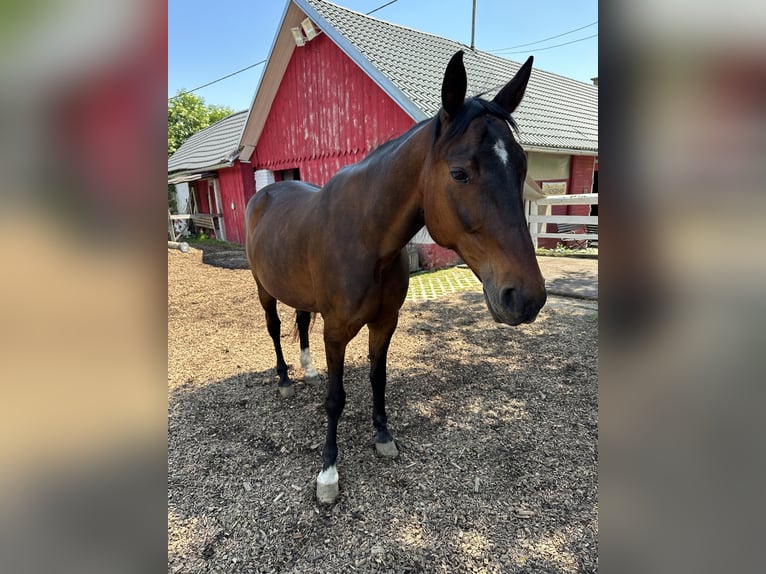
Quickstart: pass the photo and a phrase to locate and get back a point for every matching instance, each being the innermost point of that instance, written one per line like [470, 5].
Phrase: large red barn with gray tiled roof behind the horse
[339, 83]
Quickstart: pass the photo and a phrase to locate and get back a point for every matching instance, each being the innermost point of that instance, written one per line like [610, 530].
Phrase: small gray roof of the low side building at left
[215, 145]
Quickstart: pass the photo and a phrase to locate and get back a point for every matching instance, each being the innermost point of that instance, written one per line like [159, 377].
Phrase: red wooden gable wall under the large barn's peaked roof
[327, 113]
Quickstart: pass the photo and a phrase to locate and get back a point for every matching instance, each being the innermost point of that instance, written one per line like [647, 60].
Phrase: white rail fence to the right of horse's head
[538, 216]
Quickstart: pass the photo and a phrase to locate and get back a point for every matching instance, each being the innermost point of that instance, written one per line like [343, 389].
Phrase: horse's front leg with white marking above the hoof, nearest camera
[327, 481]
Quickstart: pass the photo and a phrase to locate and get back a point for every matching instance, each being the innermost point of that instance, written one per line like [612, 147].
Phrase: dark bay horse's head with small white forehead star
[472, 200]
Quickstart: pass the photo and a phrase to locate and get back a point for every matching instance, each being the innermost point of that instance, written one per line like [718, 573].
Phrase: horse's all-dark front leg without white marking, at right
[380, 339]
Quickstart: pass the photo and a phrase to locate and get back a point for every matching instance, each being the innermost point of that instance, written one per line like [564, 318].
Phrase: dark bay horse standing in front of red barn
[338, 250]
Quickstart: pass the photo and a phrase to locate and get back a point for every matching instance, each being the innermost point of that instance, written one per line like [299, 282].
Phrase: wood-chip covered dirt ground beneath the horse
[496, 426]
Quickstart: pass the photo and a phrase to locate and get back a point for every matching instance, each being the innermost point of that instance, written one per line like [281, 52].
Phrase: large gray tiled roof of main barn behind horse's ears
[556, 112]
